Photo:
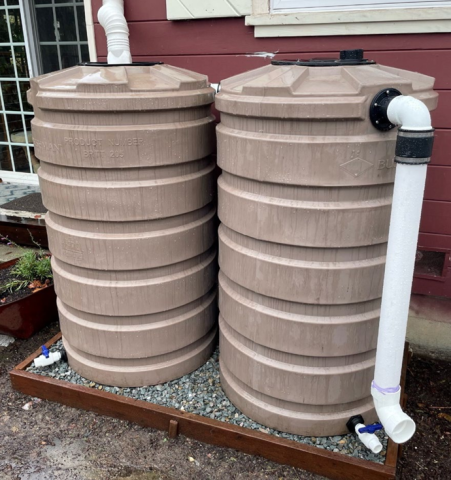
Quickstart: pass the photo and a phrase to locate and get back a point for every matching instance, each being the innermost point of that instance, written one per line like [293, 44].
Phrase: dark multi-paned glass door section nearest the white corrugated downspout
[61, 29]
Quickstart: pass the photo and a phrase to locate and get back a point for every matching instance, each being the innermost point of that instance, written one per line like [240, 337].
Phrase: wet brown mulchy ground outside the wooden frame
[50, 441]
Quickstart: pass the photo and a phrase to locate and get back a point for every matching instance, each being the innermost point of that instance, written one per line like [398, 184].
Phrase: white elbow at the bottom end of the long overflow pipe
[397, 425]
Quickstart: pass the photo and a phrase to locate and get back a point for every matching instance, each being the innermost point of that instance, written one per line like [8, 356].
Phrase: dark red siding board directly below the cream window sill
[231, 36]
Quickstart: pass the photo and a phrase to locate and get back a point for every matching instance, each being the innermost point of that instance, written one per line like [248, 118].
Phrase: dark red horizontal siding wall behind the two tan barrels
[221, 48]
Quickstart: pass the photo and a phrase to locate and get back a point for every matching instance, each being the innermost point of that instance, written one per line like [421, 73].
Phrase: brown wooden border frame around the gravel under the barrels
[335, 466]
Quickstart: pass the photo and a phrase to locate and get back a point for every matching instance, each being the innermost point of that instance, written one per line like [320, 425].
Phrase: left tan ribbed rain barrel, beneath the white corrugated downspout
[128, 180]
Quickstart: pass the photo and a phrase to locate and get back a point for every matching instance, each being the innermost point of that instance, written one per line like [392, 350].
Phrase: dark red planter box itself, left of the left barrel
[26, 316]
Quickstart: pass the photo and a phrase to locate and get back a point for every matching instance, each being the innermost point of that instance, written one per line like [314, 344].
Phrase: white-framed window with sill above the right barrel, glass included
[297, 18]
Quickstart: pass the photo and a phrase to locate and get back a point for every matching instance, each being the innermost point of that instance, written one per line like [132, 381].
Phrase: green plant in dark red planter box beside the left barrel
[27, 295]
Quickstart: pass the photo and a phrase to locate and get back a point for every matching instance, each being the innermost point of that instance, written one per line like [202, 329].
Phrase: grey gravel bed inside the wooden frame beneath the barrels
[200, 393]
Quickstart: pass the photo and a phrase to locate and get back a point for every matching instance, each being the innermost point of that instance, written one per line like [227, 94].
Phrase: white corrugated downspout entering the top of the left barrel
[111, 17]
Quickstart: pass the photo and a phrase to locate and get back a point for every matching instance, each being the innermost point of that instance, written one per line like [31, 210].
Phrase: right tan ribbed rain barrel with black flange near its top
[304, 201]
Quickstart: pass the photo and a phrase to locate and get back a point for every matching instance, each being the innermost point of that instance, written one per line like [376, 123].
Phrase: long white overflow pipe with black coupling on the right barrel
[413, 152]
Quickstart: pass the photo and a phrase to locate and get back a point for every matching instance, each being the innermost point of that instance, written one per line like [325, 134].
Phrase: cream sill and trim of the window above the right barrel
[347, 21]
